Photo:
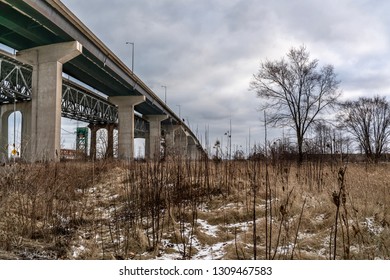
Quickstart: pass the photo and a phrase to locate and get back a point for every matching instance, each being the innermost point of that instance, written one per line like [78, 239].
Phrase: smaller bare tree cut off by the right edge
[368, 120]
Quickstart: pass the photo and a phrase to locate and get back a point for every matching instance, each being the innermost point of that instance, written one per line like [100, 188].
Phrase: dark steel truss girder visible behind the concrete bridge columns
[77, 102]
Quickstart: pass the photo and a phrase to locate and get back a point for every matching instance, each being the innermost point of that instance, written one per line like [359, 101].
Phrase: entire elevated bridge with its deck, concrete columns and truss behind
[51, 41]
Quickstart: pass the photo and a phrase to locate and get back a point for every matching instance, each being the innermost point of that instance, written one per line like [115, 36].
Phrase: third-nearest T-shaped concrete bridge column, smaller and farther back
[153, 140]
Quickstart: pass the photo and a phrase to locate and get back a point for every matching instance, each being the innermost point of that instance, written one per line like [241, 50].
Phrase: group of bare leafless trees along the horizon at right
[296, 92]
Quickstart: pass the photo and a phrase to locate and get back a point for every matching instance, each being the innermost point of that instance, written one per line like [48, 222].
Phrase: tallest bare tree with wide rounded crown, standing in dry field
[295, 92]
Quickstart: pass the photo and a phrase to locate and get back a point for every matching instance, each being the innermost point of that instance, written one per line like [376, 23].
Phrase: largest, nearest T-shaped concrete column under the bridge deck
[45, 116]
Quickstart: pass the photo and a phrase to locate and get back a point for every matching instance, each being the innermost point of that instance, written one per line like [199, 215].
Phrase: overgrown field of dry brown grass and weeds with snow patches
[182, 209]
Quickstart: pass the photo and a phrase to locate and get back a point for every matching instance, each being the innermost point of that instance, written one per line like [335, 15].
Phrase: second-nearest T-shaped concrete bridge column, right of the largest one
[126, 124]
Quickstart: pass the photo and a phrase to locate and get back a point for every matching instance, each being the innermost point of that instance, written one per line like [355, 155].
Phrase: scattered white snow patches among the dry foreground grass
[169, 250]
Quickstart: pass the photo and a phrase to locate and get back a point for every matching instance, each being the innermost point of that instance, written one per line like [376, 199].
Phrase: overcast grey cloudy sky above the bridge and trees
[206, 51]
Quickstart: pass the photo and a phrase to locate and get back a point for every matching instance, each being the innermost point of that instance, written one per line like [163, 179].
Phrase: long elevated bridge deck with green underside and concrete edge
[33, 23]
